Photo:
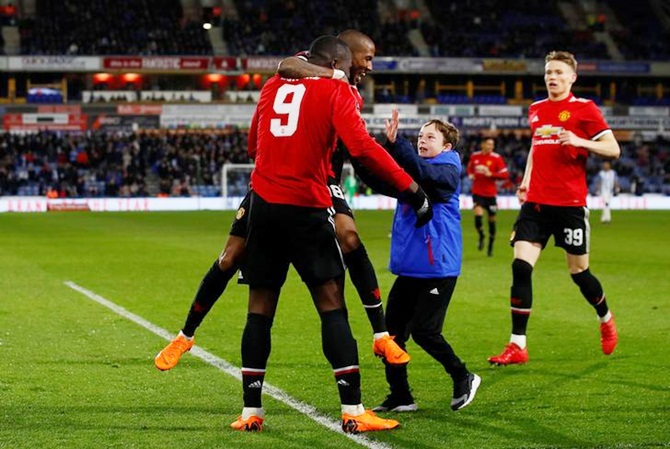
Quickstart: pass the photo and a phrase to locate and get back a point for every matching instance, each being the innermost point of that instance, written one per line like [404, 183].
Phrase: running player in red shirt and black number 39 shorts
[565, 131]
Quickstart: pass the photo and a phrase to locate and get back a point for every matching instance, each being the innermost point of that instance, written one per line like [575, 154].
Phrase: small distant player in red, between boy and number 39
[484, 168]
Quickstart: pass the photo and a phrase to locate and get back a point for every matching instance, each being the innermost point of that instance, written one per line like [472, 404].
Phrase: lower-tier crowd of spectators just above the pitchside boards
[166, 163]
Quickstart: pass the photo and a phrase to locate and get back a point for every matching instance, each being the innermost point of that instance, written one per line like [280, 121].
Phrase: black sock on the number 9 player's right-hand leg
[340, 349]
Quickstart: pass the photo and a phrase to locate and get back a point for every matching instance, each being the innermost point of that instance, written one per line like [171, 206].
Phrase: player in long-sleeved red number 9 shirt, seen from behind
[293, 132]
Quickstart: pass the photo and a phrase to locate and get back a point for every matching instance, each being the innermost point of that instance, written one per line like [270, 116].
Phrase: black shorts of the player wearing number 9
[281, 235]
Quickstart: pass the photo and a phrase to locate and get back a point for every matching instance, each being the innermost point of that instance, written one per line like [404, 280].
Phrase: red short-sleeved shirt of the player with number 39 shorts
[558, 175]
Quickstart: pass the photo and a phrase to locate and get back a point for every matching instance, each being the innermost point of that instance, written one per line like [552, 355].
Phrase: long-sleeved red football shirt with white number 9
[293, 133]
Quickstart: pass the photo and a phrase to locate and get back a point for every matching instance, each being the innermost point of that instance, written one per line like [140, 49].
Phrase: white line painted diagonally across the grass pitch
[221, 364]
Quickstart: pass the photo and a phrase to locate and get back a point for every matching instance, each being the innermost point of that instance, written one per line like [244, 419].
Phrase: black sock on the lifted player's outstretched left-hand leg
[211, 287]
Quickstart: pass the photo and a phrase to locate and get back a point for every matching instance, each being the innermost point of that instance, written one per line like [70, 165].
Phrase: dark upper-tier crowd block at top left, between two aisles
[112, 27]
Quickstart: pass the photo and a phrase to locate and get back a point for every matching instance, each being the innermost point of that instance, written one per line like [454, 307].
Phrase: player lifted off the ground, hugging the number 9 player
[356, 258]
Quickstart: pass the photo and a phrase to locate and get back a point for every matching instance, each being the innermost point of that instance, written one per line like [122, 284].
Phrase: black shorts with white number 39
[569, 226]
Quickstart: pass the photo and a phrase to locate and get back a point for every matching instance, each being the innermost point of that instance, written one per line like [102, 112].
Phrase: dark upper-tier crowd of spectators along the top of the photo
[470, 28]
